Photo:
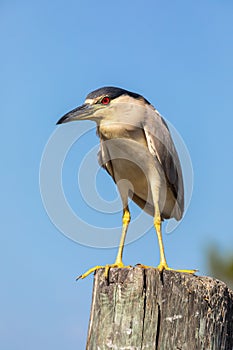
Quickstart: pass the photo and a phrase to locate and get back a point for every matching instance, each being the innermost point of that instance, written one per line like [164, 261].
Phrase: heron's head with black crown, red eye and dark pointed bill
[104, 103]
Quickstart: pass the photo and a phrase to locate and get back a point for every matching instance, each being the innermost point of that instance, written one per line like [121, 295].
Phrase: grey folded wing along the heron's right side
[160, 145]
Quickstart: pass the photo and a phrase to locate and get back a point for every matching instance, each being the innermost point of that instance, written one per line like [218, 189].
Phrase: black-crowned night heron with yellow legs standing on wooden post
[137, 150]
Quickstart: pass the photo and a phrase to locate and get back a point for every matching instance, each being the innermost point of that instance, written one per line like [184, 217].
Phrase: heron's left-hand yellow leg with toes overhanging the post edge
[118, 262]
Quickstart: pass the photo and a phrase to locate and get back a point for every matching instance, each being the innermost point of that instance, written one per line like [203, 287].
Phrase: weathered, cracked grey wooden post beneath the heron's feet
[137, 309]
